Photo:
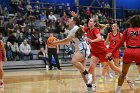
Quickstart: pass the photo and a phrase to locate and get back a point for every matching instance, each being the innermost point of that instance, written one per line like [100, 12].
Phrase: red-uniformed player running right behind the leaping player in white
[98, 49]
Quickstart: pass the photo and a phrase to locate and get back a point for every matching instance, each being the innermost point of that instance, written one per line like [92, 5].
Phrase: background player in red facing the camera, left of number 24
[112, 40]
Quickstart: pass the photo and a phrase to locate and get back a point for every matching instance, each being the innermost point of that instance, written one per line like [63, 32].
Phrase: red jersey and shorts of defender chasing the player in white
[98, 49]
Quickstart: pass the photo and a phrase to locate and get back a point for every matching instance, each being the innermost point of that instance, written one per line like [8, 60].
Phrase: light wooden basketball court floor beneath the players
[67, 80]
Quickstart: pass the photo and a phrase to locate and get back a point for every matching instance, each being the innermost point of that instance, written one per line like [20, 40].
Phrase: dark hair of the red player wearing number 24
[134, 21]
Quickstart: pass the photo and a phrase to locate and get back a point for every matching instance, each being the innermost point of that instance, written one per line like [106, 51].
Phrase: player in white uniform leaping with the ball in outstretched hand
[82, 50]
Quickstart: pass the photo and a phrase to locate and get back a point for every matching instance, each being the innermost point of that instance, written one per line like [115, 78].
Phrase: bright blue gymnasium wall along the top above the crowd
[128, 4]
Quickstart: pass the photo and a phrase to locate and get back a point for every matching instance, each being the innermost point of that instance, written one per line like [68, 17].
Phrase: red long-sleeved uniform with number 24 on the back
[132, 38]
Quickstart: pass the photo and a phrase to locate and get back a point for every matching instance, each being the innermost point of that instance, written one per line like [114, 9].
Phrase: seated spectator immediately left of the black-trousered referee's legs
[42, 55]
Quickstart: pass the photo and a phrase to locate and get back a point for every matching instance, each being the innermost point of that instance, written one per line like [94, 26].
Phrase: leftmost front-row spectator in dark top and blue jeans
[8, 51]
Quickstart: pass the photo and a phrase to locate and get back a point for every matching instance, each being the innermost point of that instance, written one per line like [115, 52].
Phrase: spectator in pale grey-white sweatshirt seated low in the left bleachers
[25, 50]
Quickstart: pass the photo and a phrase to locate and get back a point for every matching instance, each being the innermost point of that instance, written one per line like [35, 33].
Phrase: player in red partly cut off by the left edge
[2, 51]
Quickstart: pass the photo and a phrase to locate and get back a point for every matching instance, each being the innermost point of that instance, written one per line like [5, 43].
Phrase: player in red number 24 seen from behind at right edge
[132, 38]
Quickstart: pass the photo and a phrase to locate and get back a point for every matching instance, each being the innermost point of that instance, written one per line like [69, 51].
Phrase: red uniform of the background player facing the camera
[113, 41]
